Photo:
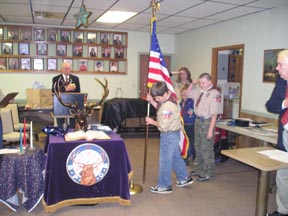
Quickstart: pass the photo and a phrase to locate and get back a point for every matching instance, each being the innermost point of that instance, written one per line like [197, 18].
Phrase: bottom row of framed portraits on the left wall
[38, 64]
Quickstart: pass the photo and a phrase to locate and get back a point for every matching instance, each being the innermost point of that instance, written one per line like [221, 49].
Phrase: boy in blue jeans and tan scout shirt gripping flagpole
[168, 123]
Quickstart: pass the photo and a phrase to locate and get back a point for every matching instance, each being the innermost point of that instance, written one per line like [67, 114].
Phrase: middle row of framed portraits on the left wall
[61, 50]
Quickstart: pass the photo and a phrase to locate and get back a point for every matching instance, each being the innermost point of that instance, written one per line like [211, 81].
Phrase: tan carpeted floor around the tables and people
[231, 193]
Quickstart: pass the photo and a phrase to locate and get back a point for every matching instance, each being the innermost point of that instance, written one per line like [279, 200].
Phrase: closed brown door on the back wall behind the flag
[144, 64]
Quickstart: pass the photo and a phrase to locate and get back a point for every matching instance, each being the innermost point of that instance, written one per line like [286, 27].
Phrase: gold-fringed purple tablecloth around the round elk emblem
[60, 190]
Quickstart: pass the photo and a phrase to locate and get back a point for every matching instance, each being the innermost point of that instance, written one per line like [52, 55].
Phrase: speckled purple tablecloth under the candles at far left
[23, 173]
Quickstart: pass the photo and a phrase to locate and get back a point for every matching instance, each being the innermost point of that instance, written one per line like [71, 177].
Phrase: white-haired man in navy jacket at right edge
[278, 103]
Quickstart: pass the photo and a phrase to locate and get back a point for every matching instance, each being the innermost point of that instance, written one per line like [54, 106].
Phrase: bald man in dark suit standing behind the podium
[68, 83]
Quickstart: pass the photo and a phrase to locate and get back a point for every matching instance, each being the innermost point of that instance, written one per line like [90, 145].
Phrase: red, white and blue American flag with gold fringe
[159, 72]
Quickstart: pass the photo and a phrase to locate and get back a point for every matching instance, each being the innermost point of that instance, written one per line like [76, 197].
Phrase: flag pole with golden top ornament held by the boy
[155, 6]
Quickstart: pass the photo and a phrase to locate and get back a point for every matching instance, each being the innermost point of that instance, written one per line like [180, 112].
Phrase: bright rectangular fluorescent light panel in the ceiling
[116, 16]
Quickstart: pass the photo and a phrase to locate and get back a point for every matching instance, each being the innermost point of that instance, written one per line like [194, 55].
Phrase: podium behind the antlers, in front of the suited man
[60, 111]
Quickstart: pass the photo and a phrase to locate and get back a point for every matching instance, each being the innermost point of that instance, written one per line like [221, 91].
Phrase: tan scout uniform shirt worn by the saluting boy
[208, 104]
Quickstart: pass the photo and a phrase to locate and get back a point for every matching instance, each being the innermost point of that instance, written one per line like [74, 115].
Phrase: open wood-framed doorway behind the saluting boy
[227, 65]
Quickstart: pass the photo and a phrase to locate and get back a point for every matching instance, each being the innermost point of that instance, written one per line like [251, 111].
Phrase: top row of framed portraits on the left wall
[38, 34]
